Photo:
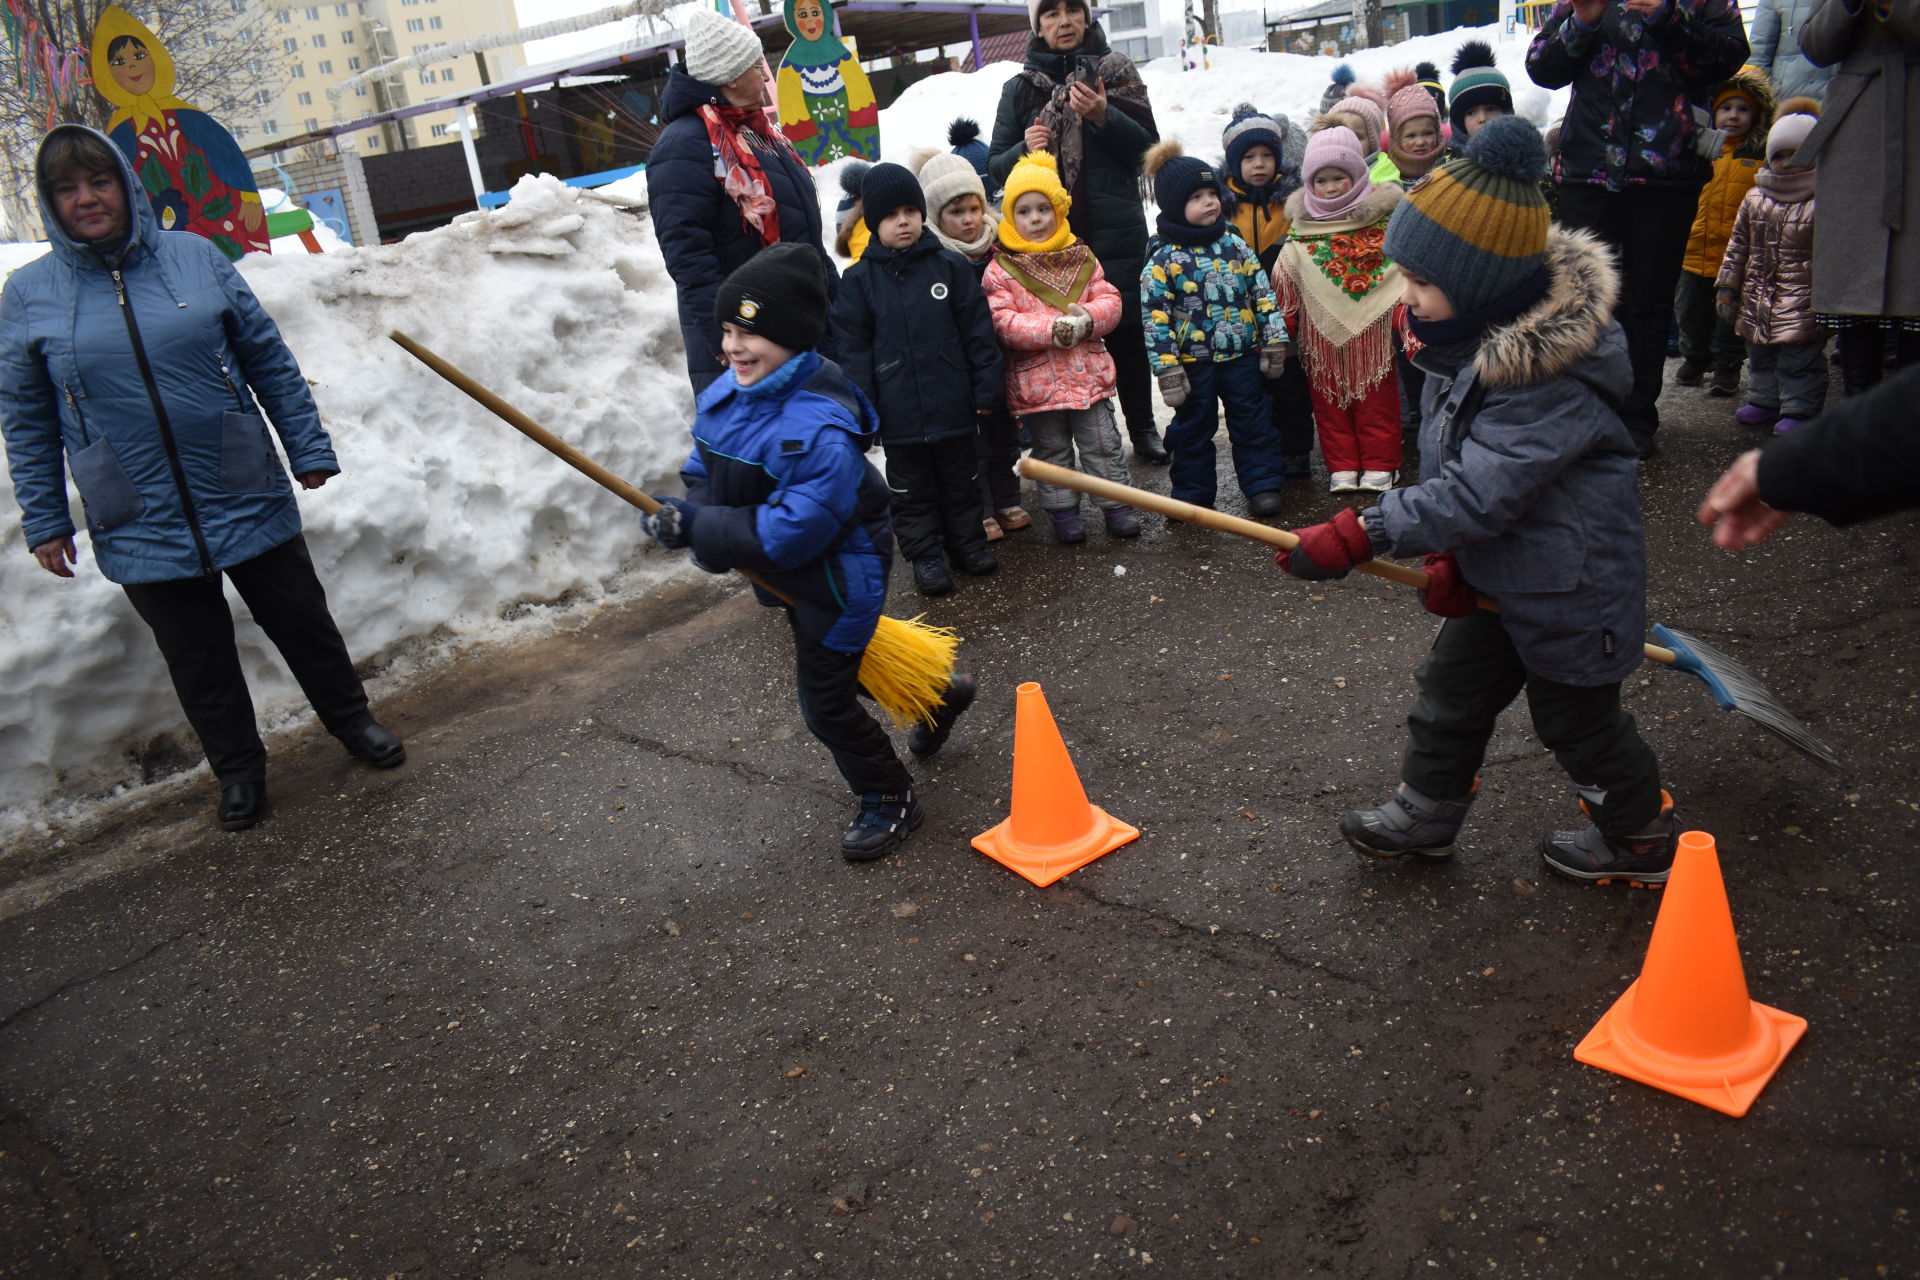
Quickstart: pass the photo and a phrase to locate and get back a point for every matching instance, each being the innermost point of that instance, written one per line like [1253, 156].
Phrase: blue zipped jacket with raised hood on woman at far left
[174, 462]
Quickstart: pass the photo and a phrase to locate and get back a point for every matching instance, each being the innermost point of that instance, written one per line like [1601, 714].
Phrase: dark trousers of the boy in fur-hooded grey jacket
[1472, 675]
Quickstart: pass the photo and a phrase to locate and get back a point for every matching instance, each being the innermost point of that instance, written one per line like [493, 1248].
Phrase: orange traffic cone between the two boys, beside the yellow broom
[1053, 828]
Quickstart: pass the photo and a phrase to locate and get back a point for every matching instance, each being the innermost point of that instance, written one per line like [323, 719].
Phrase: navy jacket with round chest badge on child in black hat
[917, 335]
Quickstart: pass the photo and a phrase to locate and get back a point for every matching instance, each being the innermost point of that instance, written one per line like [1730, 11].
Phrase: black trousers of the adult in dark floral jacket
[1648, 229]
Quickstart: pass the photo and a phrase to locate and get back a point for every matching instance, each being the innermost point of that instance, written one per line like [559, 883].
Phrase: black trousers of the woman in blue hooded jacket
[195, 632]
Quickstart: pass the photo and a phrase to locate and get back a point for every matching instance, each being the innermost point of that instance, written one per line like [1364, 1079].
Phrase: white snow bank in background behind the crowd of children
[1195, 107]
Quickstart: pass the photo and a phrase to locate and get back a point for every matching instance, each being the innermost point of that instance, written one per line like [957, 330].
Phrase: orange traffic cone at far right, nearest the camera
[1687, 1024]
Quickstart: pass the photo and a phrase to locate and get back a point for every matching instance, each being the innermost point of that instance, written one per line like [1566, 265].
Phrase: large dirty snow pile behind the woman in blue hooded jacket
[444, 523]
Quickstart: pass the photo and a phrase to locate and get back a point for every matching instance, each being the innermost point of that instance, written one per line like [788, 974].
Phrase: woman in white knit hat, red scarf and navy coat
[715, 108]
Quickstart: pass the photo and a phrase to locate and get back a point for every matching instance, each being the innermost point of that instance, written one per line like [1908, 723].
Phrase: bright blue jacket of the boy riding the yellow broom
[784, 488]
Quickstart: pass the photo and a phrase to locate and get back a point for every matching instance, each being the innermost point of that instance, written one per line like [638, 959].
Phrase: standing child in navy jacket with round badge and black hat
[915, 333]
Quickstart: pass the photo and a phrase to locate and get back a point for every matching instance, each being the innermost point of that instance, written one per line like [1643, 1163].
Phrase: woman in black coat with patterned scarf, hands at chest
[1088, 107]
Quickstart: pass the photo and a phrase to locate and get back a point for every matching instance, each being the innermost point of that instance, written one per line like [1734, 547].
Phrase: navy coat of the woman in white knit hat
[698, 224]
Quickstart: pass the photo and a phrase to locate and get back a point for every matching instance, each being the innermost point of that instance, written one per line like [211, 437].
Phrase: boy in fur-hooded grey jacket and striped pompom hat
[1527, 498]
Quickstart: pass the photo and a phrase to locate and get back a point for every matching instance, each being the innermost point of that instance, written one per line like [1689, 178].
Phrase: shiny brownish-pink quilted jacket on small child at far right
[1769, 260]
